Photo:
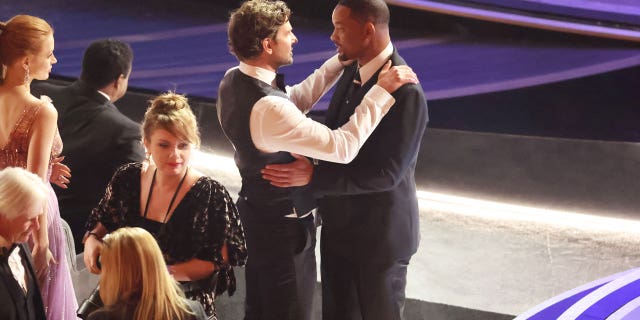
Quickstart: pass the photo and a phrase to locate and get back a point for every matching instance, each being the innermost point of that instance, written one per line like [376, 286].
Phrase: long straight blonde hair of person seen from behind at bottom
[133, 270]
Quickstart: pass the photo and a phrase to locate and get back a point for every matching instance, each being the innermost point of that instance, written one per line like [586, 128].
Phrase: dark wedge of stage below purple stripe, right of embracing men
[598, 107]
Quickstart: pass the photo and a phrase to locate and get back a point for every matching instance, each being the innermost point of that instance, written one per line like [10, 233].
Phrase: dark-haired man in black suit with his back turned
[97, 138]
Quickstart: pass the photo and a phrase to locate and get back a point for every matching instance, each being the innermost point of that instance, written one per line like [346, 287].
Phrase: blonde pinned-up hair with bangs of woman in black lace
[171, 111]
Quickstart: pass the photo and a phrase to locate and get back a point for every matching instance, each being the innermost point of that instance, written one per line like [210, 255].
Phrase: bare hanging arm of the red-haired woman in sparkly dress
[38, 157]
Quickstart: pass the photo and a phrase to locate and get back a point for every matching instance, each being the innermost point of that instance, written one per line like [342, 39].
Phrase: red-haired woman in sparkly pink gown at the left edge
[29, 139]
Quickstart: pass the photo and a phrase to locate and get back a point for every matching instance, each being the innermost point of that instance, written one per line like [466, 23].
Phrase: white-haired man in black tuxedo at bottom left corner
[23, 197]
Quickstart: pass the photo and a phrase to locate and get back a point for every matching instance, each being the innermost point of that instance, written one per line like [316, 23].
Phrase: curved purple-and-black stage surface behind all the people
[478, 76]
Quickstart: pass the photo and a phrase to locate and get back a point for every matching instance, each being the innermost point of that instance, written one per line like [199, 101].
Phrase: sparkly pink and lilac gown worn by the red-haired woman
[57, 291]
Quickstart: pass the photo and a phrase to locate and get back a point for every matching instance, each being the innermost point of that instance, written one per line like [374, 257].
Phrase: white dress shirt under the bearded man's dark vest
[279, 124]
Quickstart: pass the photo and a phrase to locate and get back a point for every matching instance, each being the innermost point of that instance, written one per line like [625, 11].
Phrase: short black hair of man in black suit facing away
[104, 61]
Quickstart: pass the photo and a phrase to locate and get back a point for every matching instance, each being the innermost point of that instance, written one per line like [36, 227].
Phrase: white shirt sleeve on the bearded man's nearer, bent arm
[276, 124]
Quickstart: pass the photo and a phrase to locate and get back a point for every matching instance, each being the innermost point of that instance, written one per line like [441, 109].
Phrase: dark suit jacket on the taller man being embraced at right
[370, 209]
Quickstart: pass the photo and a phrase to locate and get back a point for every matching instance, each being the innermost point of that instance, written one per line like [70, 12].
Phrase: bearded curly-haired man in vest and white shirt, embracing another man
[266, 122]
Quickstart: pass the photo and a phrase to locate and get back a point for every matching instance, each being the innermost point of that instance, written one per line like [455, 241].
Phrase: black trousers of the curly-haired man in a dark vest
[281, 266]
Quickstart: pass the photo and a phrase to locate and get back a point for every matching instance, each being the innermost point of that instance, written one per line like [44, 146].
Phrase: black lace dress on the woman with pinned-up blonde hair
[202, 222]
